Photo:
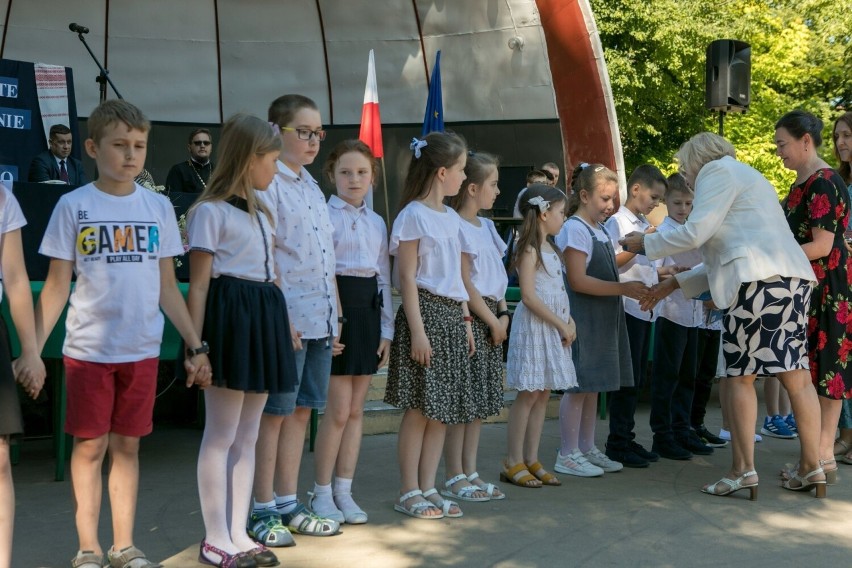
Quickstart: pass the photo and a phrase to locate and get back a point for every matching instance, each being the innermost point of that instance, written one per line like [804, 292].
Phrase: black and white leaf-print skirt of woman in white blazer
[766, 330]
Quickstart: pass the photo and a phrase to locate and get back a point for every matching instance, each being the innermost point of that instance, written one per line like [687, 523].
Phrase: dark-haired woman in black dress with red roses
[817, 210]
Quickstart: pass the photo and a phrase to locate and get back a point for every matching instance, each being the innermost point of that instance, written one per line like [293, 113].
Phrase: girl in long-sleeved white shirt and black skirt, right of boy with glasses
[363, 282]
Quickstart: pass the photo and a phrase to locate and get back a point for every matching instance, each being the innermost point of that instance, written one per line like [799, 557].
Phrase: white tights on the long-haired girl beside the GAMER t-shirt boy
[226, 465]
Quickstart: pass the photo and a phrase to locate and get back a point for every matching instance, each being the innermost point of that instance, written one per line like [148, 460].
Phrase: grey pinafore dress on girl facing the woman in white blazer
[601, 350]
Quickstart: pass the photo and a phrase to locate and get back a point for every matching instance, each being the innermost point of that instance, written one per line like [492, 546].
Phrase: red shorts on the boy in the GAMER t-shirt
[110, 397]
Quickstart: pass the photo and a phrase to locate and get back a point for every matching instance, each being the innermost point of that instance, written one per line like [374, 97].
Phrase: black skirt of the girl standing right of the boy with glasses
[362, 307]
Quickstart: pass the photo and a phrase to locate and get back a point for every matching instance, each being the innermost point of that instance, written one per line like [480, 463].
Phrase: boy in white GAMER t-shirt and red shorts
[119, 239]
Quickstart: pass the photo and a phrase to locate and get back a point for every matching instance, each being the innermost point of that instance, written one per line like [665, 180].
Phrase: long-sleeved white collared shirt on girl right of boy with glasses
[361, 250]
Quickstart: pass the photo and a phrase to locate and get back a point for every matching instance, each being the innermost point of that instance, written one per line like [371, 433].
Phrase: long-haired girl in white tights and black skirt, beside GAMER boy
[234, 300]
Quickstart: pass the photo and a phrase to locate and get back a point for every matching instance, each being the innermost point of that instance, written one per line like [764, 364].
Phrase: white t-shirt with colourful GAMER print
[115, 243]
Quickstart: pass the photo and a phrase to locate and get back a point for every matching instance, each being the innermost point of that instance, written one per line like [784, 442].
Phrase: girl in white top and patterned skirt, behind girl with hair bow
[485, 280]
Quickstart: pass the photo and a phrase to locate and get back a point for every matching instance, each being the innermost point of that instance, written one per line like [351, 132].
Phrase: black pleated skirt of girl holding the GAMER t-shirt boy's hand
[247, 327]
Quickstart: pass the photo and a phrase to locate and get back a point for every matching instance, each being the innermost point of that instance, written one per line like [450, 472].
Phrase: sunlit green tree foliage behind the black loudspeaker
[801, 56]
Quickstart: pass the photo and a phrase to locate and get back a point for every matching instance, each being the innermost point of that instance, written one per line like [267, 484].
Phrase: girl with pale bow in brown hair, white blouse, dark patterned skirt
[429, 373]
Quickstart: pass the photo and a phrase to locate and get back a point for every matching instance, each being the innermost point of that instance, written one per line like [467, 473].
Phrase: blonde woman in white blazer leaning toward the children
[758, 274]
